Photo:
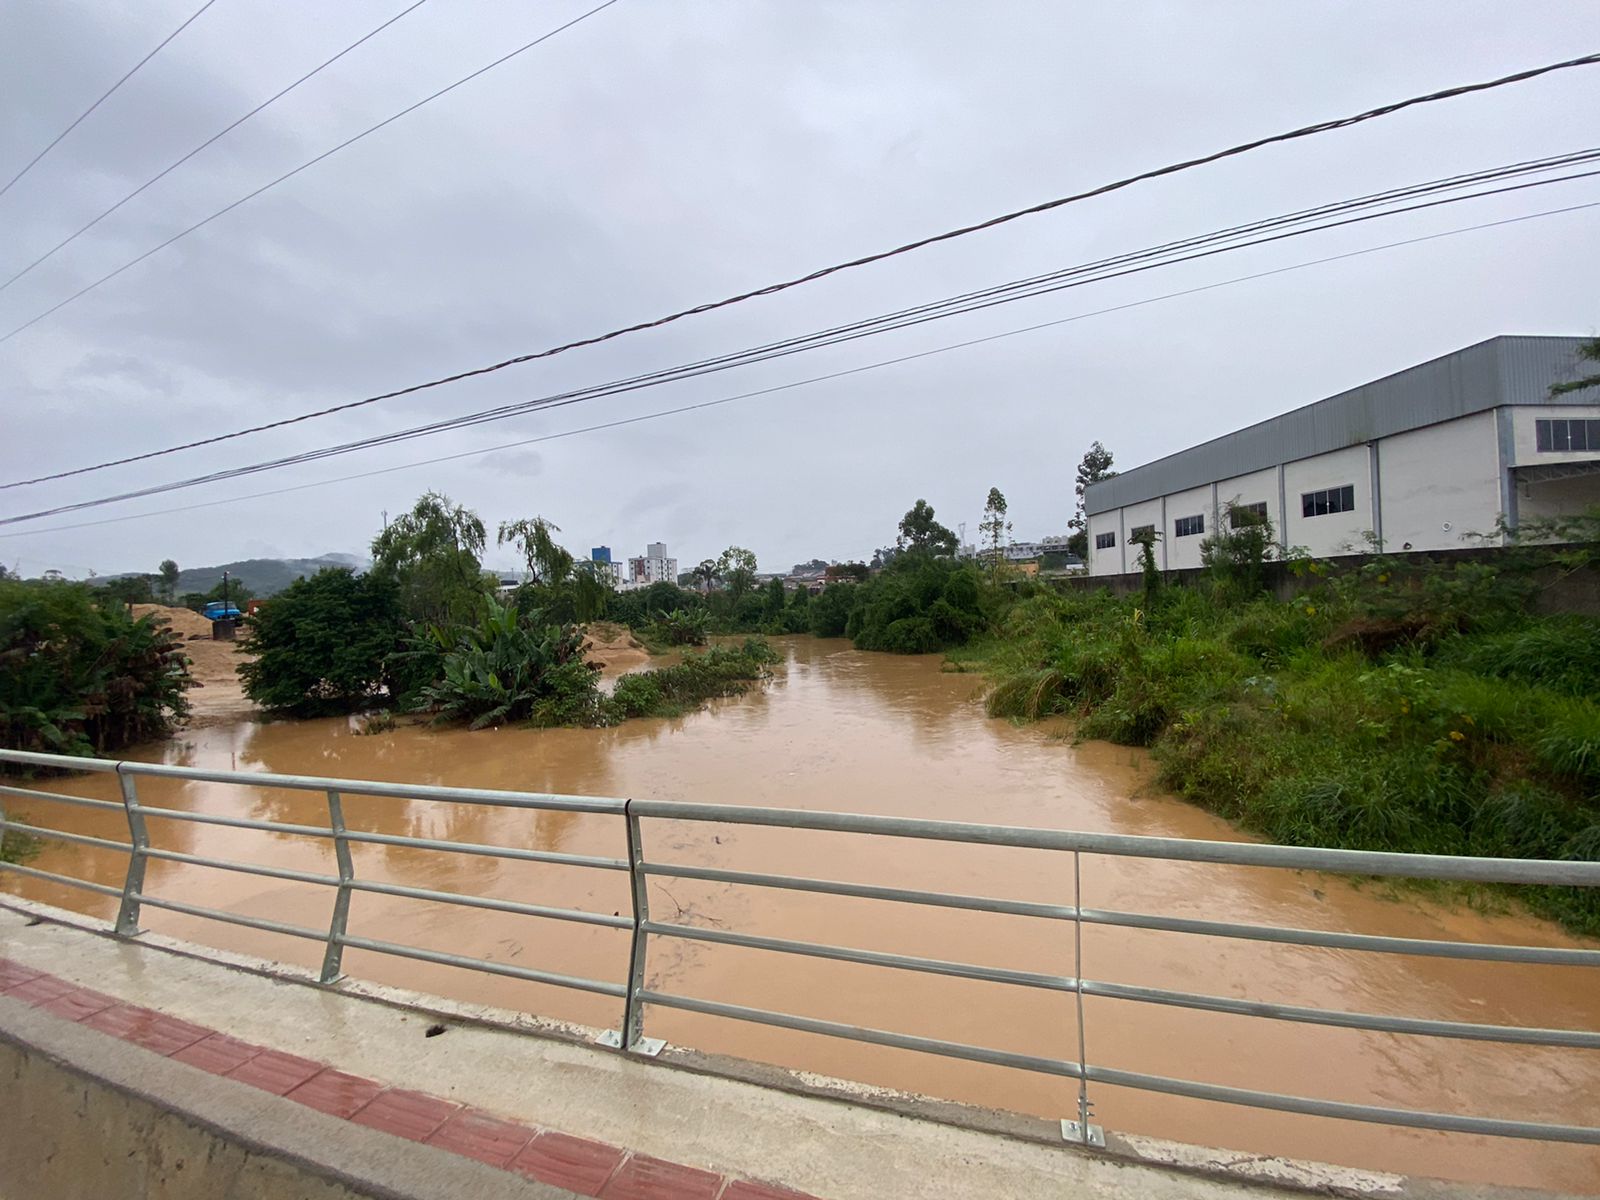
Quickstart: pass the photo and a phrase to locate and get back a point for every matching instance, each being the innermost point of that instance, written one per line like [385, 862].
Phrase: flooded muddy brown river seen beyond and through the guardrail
[874, 734]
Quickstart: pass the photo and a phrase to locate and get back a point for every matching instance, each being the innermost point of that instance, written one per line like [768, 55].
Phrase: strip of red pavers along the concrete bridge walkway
[548, 1156]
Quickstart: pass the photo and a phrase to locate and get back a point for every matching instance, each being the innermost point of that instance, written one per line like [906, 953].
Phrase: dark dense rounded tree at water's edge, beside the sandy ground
[324, 646]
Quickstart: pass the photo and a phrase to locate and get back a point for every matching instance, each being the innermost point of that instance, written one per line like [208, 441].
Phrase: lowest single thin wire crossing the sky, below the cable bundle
[814, 380]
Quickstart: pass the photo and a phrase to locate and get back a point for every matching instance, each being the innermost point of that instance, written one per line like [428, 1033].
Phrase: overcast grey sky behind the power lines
[663, 154]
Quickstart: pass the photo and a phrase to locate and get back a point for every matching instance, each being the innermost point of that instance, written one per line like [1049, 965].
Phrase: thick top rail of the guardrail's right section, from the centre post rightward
[1127, 846]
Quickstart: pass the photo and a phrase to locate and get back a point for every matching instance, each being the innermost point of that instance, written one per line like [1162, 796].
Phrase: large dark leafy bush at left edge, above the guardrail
[79, 676]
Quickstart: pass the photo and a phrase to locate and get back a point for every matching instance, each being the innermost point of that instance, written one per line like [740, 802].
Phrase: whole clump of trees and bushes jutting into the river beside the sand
[428, 631]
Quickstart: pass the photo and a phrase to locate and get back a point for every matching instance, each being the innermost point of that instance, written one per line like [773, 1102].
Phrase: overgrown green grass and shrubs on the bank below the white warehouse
[1393, 706]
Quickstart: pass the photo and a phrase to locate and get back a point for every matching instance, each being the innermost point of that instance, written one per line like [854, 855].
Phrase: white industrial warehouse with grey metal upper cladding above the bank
[1423, 460]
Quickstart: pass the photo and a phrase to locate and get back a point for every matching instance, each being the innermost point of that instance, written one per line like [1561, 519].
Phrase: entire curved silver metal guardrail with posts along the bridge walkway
[636, 996]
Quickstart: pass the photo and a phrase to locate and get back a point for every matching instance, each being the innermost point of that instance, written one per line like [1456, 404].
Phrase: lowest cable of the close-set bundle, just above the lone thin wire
[706, 367]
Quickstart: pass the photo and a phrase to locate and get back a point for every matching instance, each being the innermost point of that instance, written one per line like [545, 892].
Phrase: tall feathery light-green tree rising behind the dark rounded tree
[431, 556]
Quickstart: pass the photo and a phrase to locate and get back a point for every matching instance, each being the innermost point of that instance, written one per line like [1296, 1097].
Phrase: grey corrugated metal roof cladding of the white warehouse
[1506, 370]
